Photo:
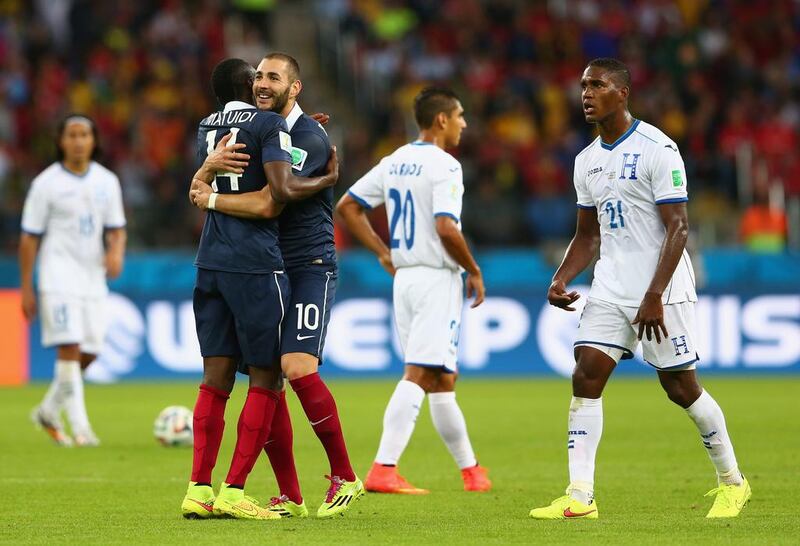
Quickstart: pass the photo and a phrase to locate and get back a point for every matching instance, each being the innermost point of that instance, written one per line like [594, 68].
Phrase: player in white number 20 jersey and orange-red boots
[422, 187]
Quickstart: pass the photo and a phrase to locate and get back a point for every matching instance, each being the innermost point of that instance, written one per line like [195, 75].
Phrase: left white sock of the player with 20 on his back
[399, 420]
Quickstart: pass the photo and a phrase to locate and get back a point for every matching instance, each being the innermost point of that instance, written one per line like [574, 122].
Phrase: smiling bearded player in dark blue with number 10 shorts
[307, 245]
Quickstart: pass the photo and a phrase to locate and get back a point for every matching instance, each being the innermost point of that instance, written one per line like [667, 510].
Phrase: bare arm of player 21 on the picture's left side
[580, 252]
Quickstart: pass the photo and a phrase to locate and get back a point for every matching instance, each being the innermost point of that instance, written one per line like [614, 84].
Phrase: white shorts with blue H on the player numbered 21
[607, 327]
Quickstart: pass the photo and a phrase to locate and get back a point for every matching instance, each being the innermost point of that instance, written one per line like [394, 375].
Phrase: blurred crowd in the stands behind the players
[722, 78]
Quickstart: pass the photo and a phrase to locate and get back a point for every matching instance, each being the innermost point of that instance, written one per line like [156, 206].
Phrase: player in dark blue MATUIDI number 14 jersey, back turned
[241, 293]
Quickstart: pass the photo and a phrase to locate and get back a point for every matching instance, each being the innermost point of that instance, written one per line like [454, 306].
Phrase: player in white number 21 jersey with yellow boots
[631, 188]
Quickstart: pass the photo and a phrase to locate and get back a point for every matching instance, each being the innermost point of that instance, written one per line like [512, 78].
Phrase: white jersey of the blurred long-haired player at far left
[70, 212]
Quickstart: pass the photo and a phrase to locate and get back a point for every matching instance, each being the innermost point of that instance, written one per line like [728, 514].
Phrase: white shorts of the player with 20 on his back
[427, 311]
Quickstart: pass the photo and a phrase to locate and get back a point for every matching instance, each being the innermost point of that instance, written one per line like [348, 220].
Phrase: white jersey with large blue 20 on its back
[418, 182]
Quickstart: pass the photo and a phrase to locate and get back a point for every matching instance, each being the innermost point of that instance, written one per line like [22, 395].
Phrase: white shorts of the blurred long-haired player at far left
[68, 319]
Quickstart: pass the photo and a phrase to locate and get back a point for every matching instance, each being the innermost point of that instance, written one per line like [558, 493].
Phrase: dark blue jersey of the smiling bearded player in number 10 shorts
[306, 227]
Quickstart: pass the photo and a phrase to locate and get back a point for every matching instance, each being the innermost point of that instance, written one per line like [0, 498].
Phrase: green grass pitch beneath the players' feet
[651, 476]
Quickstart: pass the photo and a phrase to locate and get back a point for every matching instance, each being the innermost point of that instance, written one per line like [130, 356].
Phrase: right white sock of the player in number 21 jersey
[707, 415]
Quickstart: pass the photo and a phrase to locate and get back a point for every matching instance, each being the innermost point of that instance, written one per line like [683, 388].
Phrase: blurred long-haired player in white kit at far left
[74, 220]
